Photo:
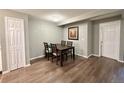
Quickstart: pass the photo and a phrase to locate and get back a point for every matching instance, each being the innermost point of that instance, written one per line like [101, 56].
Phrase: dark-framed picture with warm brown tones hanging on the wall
[73, 33]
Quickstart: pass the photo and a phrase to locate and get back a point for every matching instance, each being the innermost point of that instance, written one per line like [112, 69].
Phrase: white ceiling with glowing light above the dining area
[60, 15]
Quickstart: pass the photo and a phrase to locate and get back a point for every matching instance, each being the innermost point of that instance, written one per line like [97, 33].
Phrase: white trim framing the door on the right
[100, 40]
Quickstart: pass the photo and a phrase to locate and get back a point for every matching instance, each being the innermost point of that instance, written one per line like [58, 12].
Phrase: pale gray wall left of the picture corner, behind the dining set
[42, 31]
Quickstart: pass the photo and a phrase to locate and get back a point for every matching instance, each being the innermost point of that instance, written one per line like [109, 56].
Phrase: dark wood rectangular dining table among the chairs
[63, 49]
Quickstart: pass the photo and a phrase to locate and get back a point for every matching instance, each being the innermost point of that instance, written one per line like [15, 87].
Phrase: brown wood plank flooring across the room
[91, 70]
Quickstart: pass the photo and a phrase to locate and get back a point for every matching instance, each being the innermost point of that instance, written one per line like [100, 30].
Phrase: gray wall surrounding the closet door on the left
[9, 13]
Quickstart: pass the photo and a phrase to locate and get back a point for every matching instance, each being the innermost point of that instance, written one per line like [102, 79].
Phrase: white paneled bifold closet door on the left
[15, 45]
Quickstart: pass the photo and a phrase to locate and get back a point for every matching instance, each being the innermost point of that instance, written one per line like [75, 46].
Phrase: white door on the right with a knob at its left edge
[110, 39]
